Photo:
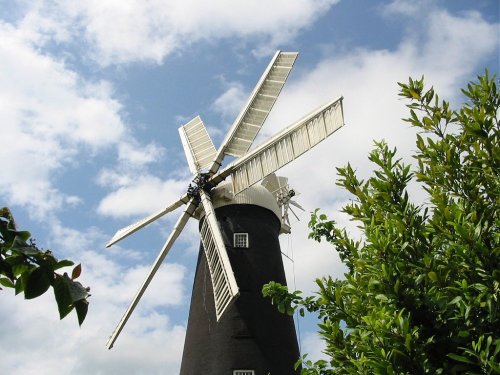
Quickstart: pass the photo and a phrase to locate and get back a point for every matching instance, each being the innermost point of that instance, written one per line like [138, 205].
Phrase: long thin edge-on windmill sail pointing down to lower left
[178, 227]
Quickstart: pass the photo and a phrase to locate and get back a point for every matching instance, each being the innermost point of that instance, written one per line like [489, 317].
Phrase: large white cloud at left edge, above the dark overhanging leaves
[48, 116]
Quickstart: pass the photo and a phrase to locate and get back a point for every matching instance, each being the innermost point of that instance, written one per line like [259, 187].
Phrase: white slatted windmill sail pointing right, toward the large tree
[284, 146]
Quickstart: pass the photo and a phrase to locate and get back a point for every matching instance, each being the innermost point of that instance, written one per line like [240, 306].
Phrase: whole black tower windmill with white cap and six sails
[231, 329]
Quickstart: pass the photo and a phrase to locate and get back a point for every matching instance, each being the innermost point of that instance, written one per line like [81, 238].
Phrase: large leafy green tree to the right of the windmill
[422, 290]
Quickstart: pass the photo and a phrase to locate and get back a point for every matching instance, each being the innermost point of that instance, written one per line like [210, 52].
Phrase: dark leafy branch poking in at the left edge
[26, 268]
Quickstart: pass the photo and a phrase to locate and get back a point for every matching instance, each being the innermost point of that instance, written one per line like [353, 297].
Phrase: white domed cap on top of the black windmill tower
[256, 195]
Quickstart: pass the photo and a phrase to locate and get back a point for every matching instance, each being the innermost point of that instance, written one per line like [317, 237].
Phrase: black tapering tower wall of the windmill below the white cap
[252, 335]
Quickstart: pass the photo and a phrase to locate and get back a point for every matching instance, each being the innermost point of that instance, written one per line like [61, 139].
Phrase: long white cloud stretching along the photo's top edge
[121, 32]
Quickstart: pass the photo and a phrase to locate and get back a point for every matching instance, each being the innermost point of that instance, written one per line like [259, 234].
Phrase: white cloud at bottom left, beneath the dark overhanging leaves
[61, 347]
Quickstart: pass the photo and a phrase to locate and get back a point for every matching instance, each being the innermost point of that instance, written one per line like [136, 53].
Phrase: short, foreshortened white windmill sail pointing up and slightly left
[198, 147]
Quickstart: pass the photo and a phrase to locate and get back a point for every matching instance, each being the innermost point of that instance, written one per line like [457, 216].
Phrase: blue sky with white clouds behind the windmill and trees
[92, 94]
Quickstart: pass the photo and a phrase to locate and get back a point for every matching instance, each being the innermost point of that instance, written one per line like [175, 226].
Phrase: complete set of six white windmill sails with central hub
[249, 168]
